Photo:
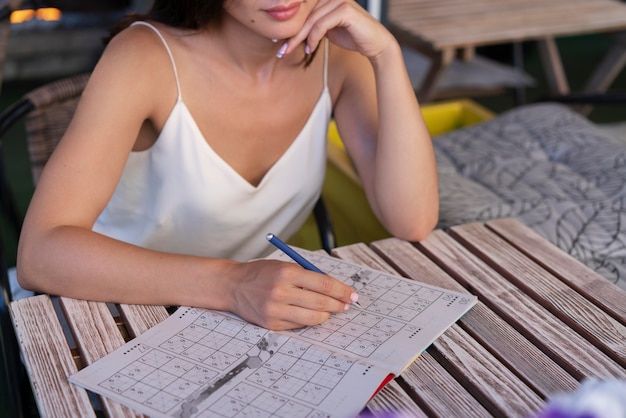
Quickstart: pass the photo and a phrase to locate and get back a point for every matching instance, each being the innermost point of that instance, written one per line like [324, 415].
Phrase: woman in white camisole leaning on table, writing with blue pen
[202, 129]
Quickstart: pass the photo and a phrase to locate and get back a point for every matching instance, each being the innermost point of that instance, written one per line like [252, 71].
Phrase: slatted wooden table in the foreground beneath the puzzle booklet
[544, 323]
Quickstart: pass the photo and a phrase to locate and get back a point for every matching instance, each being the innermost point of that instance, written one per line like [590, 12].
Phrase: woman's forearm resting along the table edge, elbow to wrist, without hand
[75, 262]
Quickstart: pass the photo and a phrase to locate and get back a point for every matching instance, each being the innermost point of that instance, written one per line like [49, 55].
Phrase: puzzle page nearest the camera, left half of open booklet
[206, 363]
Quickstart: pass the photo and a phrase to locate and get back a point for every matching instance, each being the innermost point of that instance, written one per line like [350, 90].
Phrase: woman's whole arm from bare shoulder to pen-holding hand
[60, 254]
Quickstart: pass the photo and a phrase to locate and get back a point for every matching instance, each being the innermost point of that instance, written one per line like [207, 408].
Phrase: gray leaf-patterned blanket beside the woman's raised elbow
[550, 168]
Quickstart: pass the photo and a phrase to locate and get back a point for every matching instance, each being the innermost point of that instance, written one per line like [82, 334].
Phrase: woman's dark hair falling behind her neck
[187, 14]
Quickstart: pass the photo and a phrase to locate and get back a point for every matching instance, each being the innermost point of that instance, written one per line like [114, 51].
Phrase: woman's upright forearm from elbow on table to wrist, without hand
[405, 186]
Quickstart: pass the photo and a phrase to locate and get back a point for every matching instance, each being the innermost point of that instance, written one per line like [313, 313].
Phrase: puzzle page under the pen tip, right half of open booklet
[399, 318]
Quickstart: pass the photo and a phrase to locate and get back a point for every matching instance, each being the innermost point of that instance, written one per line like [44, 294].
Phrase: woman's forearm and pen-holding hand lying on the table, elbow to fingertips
[76, 262]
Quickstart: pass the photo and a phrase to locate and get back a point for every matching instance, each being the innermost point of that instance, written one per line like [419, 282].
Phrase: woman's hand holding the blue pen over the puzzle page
[279, 295]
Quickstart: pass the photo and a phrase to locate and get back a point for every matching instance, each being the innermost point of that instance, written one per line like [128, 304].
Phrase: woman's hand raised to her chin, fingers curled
[346, 24]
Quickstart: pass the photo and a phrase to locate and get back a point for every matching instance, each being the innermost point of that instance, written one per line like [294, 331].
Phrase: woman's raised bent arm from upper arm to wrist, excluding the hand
[395, 159]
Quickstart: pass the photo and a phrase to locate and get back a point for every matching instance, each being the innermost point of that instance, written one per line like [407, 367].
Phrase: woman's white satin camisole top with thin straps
[180, 196]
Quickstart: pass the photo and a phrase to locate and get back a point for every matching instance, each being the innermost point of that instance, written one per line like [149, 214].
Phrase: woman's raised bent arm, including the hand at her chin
[378, 117]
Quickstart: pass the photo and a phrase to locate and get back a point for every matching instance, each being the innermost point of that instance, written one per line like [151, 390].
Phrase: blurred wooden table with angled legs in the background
[445, 29]
